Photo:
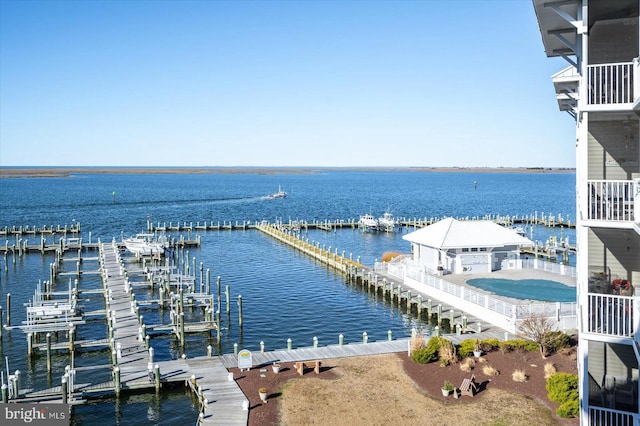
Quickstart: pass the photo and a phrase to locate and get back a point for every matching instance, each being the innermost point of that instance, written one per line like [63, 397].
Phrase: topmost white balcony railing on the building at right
[611, 84]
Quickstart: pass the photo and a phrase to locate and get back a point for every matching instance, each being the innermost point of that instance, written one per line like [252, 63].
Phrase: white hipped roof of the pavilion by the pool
[451, 234]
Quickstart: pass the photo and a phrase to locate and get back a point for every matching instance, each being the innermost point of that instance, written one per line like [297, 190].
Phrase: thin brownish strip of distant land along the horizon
[35, 172]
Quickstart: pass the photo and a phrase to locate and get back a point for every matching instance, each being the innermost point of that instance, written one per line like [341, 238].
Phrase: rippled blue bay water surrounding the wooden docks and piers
[285, 294]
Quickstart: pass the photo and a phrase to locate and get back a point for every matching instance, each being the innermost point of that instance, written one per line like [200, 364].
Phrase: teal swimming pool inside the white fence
[532, 289]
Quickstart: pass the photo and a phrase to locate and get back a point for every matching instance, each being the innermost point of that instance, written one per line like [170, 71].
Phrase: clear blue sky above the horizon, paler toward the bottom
[278, 83]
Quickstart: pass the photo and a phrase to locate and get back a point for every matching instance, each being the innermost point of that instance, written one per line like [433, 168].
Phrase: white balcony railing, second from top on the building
[611, 200]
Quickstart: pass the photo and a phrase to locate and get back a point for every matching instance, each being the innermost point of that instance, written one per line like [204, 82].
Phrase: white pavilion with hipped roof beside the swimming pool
[451, 246]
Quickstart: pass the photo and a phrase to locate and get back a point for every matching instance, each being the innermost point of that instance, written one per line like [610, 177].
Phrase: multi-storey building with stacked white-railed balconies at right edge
[600, 90]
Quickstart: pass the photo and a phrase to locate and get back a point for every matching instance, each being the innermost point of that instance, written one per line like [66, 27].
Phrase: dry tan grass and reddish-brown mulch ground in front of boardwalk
[392, 389]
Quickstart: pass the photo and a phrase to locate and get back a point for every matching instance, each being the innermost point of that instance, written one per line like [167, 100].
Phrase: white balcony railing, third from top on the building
[611, 315]
